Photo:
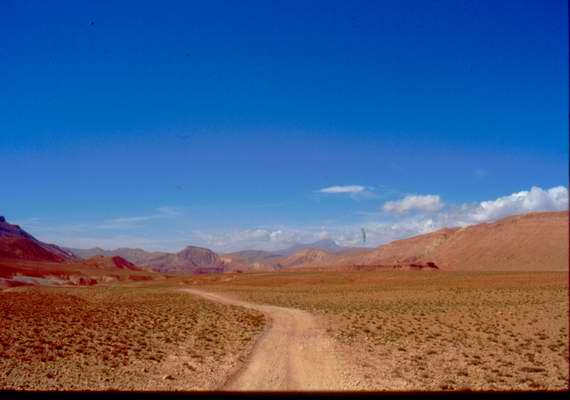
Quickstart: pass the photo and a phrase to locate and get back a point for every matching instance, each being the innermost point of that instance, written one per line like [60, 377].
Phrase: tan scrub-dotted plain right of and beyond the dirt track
[428, 331]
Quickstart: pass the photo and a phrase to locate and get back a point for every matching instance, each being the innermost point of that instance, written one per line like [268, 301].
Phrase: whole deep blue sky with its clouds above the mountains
[218, 123]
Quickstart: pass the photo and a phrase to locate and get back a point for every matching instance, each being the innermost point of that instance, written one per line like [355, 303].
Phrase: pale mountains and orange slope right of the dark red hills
[534, 241]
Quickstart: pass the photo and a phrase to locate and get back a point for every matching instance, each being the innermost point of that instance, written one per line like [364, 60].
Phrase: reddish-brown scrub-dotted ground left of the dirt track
[127, 338]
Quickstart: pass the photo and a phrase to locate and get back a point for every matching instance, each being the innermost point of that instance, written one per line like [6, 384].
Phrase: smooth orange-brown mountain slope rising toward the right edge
[530, 242]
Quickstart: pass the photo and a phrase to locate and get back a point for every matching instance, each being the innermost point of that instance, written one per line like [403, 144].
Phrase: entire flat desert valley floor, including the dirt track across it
[377, 331]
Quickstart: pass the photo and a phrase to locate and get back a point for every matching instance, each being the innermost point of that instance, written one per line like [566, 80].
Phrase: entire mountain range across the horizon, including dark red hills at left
[530, 242]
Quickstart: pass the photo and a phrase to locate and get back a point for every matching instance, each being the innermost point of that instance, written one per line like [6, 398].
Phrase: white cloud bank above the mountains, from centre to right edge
[423, 214]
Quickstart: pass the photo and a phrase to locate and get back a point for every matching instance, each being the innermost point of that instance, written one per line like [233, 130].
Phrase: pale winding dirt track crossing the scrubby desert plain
[294, 353]
